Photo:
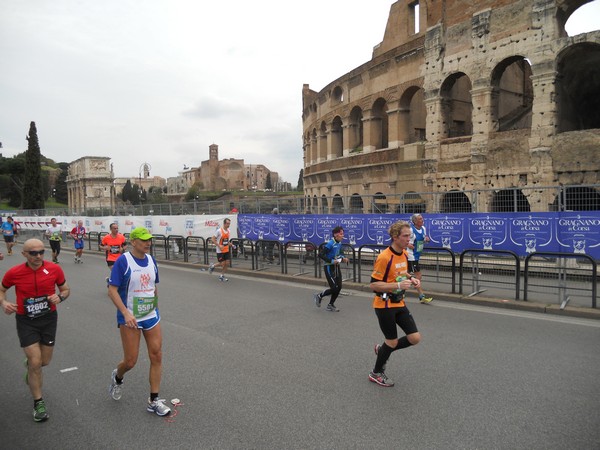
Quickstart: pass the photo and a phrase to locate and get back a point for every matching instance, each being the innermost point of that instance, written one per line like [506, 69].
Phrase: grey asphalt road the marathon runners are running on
[258, 366]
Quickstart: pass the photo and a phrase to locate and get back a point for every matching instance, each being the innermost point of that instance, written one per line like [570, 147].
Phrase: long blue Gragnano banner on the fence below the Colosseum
[521, 233]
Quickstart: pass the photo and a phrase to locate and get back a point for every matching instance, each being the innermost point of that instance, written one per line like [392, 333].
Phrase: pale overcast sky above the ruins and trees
[158, 81]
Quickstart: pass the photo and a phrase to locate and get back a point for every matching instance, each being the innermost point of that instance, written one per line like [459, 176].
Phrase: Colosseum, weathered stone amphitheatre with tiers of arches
[482, 106]
